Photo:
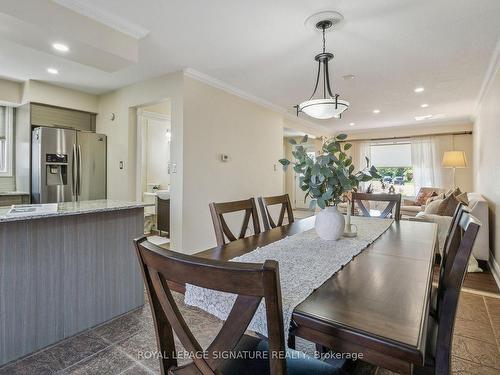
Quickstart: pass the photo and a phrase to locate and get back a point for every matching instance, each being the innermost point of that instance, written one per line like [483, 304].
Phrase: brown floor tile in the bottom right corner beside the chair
[476, 351]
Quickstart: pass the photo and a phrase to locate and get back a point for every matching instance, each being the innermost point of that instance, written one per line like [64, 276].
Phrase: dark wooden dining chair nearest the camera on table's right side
[440, 327]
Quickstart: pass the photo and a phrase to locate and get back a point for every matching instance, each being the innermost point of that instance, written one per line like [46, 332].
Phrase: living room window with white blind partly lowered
[393, 161]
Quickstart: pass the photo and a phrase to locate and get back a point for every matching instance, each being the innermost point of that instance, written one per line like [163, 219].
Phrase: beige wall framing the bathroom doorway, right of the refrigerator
[122, 139]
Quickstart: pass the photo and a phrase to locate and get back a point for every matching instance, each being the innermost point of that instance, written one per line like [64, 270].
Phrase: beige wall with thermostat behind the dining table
[216, 122]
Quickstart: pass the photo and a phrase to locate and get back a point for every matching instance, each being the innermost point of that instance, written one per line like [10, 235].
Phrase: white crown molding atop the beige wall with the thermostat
[214, 82]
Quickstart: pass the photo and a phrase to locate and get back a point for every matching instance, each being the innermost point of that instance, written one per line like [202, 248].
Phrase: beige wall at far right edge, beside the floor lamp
[487, 158]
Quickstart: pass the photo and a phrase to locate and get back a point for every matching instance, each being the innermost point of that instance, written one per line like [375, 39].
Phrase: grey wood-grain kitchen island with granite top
[66, 271]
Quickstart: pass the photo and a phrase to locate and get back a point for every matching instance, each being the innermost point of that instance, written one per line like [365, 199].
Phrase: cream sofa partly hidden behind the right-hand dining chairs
[479, 209]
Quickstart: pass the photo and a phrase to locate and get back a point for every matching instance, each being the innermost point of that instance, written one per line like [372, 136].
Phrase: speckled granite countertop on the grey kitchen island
[76, 208]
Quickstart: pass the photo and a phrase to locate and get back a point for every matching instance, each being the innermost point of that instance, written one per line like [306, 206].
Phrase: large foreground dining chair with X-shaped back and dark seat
[232, 351]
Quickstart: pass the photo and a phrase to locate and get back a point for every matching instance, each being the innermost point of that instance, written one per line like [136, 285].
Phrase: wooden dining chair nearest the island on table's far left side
[222, 231]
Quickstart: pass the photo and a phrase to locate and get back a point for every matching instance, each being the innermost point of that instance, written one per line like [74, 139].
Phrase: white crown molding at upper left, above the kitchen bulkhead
[106, 18]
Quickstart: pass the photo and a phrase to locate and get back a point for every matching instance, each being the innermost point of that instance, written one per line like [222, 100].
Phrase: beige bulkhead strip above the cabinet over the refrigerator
[41, 92]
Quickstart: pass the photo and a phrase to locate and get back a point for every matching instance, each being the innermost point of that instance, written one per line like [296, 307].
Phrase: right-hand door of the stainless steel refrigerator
[91, 166]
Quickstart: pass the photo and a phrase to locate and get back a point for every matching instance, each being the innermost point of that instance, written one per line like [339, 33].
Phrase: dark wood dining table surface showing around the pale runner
[377, 304]
